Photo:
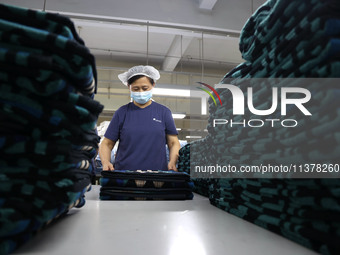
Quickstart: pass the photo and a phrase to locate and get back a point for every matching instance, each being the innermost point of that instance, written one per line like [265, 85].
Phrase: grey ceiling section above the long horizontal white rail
[226, 14]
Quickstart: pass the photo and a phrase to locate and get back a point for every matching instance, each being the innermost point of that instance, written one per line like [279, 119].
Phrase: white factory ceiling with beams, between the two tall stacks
[145, 31]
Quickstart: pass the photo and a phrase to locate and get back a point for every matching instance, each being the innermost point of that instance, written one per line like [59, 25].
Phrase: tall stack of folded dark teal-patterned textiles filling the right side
[285, 44]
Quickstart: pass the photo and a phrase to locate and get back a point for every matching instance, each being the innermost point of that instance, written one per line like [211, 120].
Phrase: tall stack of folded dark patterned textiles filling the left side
[48, 119]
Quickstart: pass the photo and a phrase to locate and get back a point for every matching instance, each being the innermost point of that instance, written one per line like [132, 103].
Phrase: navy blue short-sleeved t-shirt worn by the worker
[142, 136]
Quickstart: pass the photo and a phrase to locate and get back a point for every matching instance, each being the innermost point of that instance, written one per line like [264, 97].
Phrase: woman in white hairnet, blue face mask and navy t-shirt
[143, 128]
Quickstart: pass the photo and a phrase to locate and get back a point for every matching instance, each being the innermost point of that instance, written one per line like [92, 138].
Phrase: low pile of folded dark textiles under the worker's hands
[145, 185]
